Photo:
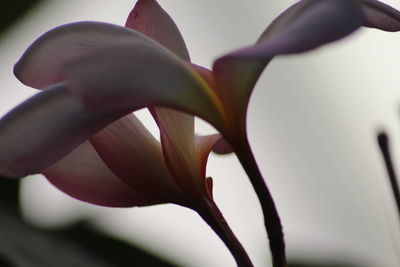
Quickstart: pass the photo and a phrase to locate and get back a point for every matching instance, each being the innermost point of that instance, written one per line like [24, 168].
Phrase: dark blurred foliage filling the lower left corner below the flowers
[79, 245]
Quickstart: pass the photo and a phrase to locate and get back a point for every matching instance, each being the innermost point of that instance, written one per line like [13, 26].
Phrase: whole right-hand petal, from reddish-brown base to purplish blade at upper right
[304, 26]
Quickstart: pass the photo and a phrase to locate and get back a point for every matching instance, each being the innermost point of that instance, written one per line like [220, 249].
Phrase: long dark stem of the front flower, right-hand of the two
[271, 217]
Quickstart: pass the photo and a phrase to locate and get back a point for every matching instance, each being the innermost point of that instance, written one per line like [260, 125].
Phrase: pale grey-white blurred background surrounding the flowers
[313, 121]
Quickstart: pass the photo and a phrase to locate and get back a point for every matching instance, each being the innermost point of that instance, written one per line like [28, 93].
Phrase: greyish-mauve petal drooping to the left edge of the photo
[44, 129]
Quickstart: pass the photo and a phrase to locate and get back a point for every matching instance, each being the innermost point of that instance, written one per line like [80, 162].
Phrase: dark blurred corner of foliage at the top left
[11, 11]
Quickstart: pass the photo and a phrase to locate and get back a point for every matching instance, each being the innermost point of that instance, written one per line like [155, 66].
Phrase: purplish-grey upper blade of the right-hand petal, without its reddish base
[305, 26]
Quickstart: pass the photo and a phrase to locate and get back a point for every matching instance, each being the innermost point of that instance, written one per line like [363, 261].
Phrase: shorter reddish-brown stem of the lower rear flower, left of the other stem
[213, 216]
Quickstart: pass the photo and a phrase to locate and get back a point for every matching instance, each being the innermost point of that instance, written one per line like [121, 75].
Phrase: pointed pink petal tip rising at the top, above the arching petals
[149, 18]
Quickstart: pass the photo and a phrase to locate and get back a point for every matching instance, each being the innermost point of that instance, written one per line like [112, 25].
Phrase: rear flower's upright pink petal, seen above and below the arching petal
[176, 128]
